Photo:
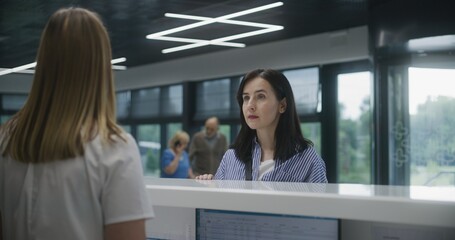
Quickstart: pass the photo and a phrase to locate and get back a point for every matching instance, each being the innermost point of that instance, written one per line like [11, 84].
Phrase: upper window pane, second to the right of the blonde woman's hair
[146, 103]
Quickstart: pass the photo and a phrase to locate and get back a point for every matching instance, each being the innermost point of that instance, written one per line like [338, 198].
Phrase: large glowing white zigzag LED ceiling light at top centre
[207, 20]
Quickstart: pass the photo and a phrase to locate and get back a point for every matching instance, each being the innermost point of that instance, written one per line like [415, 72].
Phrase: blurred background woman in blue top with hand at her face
[175, 162]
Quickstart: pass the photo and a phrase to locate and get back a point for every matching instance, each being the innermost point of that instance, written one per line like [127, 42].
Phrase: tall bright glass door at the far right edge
[421, 124]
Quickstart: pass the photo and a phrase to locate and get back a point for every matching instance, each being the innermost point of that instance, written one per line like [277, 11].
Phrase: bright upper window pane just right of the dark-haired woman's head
[305, 86]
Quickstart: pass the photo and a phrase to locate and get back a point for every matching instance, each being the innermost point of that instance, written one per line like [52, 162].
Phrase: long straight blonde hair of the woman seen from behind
[72, 98]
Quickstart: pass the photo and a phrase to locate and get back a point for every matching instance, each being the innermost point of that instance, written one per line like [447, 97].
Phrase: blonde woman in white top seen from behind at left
[67, 170]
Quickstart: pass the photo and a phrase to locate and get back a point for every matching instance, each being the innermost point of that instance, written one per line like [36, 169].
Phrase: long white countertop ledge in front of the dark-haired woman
[417, 205]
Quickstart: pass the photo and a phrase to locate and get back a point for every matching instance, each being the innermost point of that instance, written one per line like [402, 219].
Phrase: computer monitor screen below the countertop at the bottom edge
[221, 224]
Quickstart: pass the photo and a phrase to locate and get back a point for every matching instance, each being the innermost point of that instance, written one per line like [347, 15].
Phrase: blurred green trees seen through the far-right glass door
[433, 143]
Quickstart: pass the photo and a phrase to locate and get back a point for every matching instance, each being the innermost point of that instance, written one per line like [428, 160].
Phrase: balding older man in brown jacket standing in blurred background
[207, 148]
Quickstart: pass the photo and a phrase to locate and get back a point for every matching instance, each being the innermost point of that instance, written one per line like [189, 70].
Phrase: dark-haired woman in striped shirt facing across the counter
[270, 145]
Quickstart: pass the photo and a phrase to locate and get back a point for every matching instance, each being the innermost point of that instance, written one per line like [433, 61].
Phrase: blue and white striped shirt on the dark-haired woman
[306, 166]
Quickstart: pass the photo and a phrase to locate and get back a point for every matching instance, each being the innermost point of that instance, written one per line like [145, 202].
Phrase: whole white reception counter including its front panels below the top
[364, 211]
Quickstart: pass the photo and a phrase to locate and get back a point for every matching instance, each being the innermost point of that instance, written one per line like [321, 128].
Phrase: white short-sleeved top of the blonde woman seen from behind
[74, 198]
